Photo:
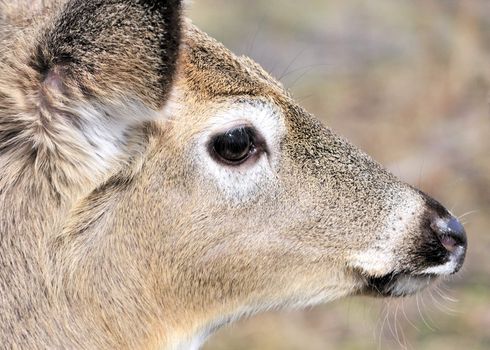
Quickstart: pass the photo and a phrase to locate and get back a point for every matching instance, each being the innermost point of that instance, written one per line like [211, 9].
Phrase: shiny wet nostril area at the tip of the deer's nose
[450, 232]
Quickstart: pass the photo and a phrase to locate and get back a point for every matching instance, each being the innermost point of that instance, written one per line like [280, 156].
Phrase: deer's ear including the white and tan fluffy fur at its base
[70, 95]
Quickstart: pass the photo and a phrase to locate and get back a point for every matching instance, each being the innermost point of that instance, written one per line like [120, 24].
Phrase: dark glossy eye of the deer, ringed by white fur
[234, 146]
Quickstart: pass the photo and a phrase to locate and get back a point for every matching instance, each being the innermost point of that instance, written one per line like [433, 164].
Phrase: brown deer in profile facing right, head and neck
[155, 187]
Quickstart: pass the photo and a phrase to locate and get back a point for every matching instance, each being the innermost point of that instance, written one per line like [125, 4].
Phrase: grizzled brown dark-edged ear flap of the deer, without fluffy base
[116, 49]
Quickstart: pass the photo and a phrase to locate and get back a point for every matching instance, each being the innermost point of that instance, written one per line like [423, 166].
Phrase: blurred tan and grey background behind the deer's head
[409, 82]
